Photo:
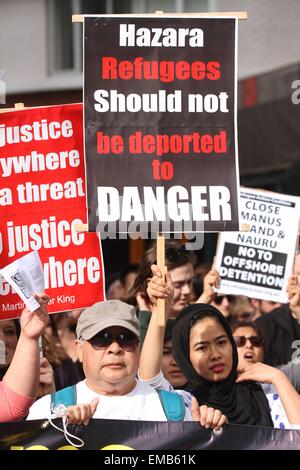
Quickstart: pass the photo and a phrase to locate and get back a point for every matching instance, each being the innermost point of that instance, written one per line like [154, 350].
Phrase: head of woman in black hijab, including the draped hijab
[204, 348]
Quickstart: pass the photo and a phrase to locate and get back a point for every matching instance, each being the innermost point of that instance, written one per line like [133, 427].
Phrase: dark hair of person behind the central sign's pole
[176, 256]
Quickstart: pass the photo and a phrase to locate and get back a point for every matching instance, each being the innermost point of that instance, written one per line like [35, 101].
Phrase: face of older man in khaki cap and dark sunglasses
[109, 370]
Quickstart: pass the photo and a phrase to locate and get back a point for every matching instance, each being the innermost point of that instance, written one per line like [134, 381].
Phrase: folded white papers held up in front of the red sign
[26, 276]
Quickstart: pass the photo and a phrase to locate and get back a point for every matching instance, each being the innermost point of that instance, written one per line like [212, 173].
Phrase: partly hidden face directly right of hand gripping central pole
[182, 280]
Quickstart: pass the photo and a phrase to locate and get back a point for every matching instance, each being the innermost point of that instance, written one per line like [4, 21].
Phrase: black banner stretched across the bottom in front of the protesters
[138, 435]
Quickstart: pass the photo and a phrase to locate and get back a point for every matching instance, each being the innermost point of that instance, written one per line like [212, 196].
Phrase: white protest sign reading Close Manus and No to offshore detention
[258, 263]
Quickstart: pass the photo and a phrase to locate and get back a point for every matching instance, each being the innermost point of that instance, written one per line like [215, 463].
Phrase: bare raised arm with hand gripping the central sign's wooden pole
[151, 355]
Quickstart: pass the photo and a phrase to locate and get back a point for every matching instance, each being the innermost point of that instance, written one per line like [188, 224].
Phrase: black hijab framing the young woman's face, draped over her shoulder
[242, 403]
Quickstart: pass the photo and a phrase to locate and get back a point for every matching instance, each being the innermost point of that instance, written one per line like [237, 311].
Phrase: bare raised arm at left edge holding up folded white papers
[22, 376]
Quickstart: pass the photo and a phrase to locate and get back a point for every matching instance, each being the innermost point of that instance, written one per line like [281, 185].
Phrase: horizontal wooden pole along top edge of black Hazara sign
[241, 15]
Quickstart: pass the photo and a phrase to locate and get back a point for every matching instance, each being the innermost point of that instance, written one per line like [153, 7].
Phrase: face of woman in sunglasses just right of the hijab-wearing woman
[248, 353]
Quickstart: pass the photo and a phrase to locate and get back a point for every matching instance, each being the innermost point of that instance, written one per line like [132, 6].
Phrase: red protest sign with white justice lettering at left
[42, 198]
